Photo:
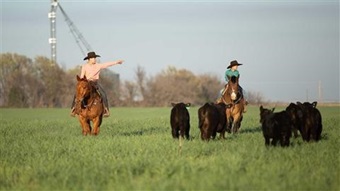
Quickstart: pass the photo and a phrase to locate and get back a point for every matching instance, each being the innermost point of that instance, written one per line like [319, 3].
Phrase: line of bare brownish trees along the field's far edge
[26, 82]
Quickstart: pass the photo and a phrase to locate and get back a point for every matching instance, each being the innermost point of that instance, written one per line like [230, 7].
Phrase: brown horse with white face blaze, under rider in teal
[235, 105]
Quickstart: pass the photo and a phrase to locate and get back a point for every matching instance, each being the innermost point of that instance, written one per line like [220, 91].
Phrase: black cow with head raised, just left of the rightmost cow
[276, 126]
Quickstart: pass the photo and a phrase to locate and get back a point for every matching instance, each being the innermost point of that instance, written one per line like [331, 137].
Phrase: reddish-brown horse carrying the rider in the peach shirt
[89, 106]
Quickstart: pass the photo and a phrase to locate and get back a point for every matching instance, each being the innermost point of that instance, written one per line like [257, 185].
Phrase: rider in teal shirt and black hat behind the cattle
[232, 71]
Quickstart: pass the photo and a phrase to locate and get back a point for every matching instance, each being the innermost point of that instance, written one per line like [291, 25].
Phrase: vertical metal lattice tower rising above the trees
[52, 15]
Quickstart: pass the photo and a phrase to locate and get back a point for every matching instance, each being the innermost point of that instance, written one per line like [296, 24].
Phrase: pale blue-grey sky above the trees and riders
[289, 49]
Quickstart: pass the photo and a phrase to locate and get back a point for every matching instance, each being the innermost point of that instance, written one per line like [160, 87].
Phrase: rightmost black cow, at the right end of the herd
[307, 119]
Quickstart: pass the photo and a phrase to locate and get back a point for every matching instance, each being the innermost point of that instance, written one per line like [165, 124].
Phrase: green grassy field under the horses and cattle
[43, 149]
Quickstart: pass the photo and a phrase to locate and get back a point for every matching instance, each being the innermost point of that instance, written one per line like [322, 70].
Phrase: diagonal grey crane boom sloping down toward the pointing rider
[76, 33]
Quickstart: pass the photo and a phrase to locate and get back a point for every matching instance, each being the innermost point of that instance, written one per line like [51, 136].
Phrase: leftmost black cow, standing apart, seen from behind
[180, 120]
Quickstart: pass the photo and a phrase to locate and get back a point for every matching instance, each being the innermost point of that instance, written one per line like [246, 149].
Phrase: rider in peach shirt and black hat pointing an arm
[91, 71]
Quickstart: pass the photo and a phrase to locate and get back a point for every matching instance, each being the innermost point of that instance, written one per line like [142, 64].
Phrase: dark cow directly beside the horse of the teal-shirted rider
[212, 119]
